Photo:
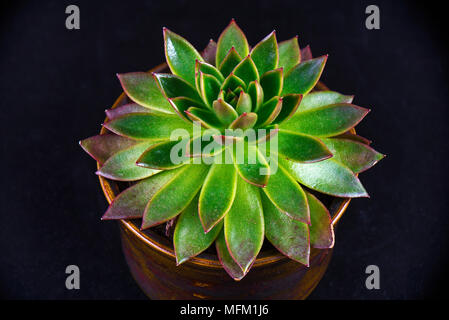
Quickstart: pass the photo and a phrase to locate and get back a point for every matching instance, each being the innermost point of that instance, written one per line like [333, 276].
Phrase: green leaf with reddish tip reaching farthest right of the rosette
[355, 155]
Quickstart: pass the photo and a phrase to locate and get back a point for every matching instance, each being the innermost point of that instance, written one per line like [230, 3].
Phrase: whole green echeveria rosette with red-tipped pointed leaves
[231, 85]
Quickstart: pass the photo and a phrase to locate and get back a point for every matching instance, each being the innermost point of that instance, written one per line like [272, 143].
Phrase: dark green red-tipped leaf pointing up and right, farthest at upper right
[303, 77]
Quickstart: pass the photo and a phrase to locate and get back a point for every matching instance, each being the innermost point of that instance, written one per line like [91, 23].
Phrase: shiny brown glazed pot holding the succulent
[152, 262]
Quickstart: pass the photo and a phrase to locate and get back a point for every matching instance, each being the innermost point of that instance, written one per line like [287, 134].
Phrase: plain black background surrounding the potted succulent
[55, 84]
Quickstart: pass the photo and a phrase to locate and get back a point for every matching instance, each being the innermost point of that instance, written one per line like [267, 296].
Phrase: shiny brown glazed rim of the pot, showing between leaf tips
[149, 237]
